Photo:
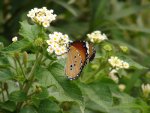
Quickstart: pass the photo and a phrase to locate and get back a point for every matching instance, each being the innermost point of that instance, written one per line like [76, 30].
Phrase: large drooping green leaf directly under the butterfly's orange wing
[67, 89]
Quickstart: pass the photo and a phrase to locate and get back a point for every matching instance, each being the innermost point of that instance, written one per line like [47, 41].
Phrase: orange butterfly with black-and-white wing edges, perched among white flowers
[79, 54]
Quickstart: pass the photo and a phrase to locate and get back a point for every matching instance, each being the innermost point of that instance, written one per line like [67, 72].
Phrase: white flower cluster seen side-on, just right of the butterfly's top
[97, 37]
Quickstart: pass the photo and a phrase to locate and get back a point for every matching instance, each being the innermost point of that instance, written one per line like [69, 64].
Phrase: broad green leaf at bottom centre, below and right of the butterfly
[100, 94]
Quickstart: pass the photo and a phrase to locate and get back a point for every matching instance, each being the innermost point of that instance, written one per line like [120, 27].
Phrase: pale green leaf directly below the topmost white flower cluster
[29, 31]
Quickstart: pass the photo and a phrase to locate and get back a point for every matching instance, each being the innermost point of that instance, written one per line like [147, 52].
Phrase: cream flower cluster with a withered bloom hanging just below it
[118, 63]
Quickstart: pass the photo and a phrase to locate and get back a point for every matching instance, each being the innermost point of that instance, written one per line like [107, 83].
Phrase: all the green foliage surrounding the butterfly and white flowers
[37, 82]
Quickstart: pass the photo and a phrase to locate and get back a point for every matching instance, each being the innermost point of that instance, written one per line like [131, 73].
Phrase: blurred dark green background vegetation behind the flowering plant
[126, 22]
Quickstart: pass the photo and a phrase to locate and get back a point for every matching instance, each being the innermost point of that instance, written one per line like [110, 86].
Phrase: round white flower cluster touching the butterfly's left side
[58, 43]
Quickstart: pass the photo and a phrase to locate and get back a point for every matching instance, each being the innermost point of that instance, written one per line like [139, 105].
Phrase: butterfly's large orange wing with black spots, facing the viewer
[75, 60]
